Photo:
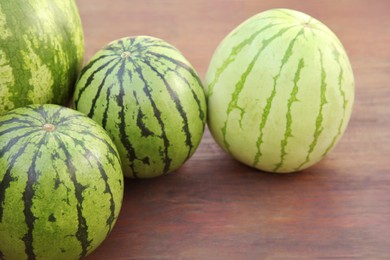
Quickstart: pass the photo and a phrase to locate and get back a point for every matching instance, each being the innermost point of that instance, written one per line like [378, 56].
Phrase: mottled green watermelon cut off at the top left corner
[41, 52]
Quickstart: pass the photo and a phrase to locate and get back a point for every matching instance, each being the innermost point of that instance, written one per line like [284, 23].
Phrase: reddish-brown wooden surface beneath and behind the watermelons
[216, 208]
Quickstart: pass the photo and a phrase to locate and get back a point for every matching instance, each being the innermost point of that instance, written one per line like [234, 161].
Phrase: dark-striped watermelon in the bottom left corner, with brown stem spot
[61, 184]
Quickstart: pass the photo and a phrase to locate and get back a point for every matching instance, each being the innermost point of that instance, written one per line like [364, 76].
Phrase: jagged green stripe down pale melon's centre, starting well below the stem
[288, 131]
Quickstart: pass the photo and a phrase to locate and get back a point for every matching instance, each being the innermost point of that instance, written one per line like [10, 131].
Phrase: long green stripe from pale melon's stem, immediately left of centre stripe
[267, 109]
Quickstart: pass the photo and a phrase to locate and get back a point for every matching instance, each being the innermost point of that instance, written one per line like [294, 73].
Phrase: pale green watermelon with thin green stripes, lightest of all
[280, 91]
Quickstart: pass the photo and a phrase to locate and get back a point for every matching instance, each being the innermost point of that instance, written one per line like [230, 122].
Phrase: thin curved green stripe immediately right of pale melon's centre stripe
[318, 124]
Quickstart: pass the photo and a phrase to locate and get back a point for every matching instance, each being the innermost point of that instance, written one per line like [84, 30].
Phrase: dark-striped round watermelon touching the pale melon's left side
[149, 99]
